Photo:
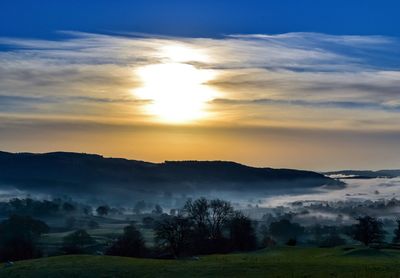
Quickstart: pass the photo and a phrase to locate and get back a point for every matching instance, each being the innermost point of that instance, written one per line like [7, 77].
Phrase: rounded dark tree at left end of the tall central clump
[174, 234]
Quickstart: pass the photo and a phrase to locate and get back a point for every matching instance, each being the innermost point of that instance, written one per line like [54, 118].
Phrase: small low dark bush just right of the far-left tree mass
[76, 242]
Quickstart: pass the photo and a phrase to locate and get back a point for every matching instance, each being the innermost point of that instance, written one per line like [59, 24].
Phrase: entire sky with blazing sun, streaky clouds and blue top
[294, 84]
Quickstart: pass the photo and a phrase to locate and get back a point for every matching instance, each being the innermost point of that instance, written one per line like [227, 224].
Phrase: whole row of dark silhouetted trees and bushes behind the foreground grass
[201, 227]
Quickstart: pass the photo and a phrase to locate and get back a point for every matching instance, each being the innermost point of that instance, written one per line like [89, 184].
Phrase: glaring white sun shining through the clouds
[177, 90]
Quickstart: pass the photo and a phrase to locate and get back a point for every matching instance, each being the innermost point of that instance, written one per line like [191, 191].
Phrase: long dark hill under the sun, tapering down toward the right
[74, 172]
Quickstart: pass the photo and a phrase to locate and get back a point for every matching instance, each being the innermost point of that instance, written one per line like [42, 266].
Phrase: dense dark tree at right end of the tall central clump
[242, 234]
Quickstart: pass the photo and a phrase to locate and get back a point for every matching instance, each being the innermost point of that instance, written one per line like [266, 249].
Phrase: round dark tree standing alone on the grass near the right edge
[368, 230]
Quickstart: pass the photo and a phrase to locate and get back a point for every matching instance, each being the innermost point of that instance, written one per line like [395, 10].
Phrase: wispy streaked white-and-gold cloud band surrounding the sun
[265, 80]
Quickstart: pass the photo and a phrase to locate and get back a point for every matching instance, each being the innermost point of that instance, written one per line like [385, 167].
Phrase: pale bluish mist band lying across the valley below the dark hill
[378, 197]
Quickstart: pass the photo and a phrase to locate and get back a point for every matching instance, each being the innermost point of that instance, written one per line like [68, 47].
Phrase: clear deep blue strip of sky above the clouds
[206, 18]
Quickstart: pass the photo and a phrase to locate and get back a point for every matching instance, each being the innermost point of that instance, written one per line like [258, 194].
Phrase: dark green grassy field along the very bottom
[277, 262]
